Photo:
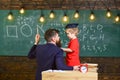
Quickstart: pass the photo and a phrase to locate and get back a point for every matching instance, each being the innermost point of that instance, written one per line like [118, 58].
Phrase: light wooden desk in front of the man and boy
[71, 75]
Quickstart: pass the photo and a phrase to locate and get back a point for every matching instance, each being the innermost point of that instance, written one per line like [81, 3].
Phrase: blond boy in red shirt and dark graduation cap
[72, 52]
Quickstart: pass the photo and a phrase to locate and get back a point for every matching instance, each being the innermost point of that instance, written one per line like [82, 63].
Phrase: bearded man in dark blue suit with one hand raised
[49, 55]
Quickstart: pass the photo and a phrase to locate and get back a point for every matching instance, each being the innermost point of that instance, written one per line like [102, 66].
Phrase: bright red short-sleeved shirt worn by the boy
[72, 58]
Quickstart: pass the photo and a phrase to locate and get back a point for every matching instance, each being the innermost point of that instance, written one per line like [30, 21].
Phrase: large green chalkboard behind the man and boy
[99, 38]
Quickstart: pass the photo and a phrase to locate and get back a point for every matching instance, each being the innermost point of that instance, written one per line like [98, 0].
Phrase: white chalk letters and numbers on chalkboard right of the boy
[92, 39]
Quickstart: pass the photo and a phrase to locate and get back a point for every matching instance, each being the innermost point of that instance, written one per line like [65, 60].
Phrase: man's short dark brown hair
[50, 33]
